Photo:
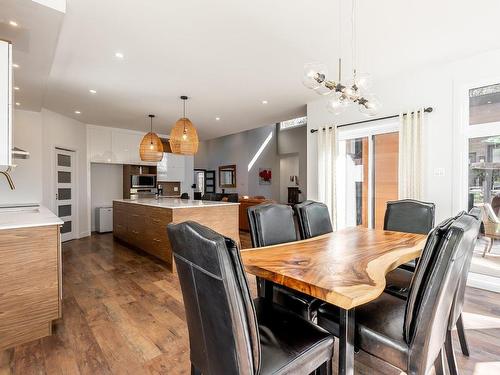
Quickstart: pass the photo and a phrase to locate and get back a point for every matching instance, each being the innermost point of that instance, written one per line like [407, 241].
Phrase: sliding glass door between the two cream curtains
[367, 174]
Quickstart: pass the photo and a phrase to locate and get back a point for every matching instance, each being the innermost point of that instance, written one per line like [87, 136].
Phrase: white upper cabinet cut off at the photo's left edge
[5, 104]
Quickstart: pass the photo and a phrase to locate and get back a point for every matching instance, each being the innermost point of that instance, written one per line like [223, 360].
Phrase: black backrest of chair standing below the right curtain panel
[409, 215]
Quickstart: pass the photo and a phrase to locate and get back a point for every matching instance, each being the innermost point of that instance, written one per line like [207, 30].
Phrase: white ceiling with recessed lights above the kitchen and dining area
[229, 55]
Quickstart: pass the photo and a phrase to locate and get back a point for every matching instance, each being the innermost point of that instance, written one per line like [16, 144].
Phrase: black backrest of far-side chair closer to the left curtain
[313, 218]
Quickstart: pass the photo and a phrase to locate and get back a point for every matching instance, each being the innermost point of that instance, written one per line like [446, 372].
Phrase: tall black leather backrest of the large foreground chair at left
[222, 325]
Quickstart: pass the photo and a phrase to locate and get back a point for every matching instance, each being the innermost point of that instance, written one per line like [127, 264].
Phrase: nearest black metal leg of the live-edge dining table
[346, 342]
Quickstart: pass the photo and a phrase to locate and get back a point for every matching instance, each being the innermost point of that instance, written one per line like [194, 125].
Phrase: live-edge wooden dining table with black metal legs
[345, 268]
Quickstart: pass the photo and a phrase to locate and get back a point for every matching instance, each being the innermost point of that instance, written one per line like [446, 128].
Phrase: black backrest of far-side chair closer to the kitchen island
[271, 224]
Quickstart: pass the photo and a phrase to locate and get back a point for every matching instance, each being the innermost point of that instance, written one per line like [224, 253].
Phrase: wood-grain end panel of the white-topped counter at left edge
[30, 283]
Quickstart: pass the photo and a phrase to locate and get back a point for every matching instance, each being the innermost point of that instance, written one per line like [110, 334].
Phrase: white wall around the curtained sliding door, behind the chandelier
[434, 86]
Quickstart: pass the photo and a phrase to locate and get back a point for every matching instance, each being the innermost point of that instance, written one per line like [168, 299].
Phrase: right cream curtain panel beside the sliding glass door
[410, 154]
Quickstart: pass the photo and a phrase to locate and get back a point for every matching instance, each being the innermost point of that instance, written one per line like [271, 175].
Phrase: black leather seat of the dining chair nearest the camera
[289, 343]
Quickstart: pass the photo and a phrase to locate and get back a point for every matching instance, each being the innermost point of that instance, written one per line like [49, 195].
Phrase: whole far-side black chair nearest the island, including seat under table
[272, 224]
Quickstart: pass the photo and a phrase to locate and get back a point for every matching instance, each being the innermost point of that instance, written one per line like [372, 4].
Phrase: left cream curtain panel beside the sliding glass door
[327, 169]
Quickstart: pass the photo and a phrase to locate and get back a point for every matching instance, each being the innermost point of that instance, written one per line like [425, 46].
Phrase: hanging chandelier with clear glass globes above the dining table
[343, 94]
